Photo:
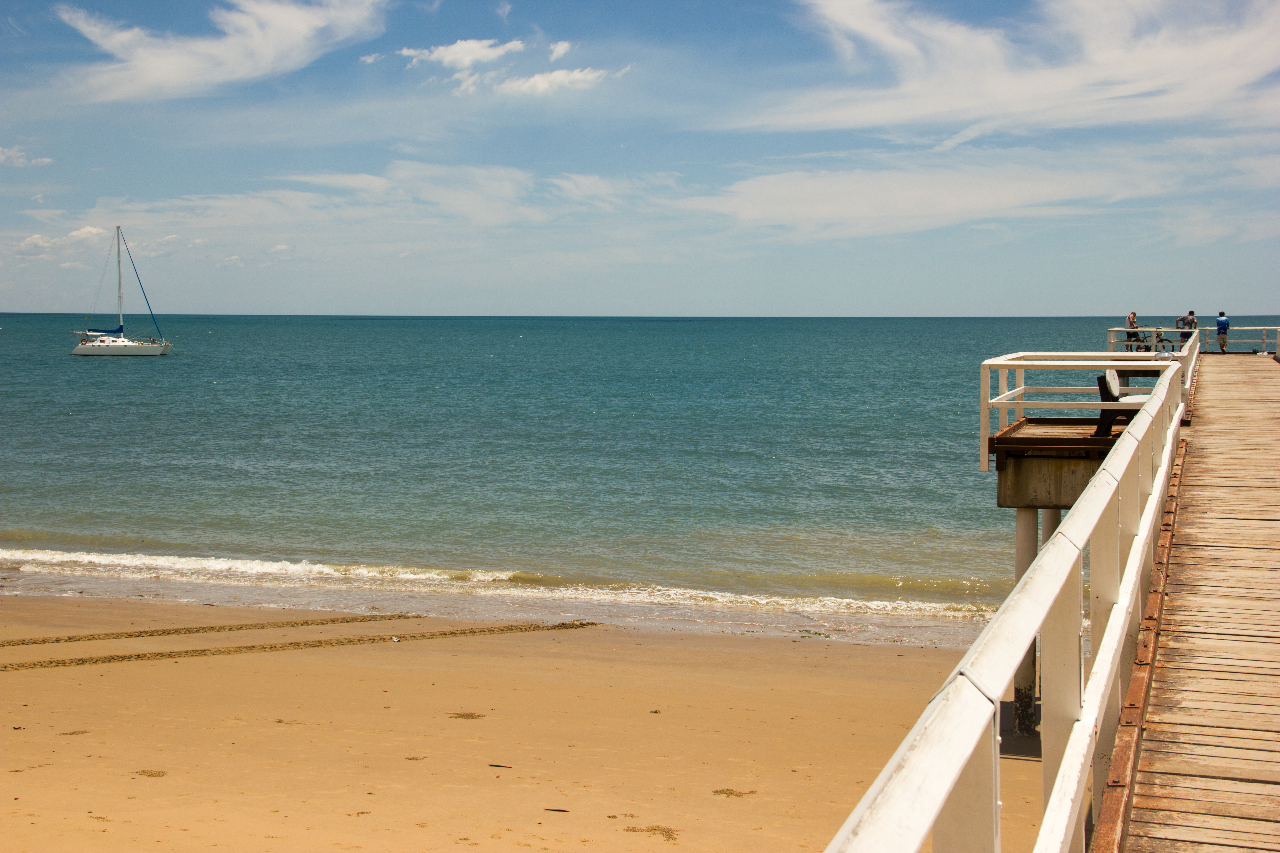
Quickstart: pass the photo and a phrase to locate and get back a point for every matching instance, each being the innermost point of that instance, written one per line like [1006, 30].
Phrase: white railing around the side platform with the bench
[1014, 398]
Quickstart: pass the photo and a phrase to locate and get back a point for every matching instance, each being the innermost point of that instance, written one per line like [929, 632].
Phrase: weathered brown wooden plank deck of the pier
[1208, 772]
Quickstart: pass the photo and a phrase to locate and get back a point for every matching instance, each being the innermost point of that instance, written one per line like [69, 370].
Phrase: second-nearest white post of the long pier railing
[1062, 690]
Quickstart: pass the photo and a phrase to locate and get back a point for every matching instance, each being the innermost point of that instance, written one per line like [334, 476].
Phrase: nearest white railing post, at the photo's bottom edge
[970, 822]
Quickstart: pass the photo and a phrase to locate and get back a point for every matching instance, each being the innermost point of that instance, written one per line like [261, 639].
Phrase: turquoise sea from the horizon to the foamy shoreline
[726, 471]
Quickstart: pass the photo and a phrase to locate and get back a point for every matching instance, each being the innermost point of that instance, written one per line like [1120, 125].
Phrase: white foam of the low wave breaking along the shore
[513, 585]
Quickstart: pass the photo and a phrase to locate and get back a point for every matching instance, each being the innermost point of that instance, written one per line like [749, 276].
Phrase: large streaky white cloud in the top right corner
[1087, 63]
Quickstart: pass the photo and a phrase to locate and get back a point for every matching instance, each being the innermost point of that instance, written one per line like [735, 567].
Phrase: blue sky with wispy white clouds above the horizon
[816, 158]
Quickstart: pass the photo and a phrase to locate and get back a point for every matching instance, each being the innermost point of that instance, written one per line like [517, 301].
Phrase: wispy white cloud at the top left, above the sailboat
[260, 39]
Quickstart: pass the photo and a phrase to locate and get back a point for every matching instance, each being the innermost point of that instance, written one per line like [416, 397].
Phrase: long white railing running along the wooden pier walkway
[945, 777]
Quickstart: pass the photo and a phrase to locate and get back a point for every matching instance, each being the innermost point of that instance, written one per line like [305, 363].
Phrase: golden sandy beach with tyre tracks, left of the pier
[575, 738]
